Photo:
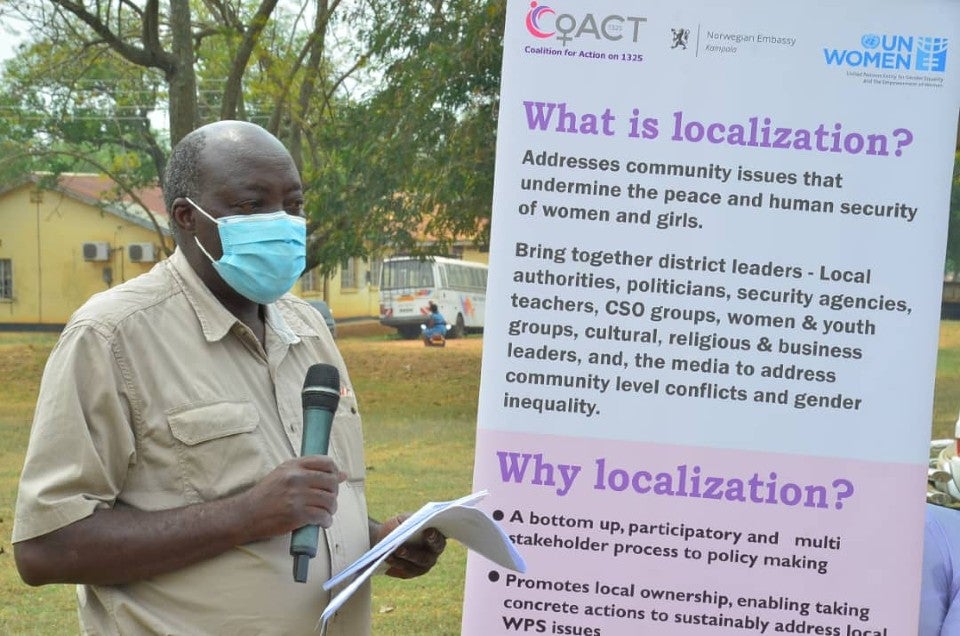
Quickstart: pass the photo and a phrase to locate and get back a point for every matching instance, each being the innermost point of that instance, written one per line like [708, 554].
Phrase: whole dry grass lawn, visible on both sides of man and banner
[420, 437]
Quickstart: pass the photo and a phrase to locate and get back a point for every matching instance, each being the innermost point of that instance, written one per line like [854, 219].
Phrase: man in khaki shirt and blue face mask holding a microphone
[162, 473]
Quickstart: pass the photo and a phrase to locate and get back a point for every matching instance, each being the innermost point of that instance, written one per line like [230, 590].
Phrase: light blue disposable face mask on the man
[263, 254]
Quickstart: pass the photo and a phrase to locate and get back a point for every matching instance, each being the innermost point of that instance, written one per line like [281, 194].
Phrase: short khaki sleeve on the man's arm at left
[82, 441]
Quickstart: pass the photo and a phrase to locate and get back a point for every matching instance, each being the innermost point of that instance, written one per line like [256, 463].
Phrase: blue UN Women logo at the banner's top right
[893, 52]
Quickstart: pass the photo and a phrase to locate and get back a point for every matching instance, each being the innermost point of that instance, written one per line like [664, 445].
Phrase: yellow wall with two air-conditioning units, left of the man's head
[44, 241]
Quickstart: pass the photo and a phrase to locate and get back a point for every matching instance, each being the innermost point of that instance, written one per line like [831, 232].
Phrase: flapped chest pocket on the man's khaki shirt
[219, 447]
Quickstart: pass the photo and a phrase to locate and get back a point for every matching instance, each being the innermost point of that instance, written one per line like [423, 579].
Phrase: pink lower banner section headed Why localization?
[636, 538]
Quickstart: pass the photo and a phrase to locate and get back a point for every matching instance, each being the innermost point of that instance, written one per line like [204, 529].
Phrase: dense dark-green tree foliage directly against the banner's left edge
[424, 158]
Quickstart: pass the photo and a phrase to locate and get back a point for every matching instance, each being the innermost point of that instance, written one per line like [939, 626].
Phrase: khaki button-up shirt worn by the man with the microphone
[156, 397]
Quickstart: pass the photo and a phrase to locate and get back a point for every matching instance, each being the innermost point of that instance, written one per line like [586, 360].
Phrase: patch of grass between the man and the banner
[419, 447]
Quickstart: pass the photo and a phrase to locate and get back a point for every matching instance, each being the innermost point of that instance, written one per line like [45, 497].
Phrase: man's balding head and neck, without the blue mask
[225, 169]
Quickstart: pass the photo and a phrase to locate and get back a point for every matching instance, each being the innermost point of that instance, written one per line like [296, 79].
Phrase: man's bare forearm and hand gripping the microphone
[113, 546]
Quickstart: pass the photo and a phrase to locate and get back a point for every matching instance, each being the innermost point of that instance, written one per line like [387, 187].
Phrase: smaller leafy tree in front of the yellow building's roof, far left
[66, 110]
